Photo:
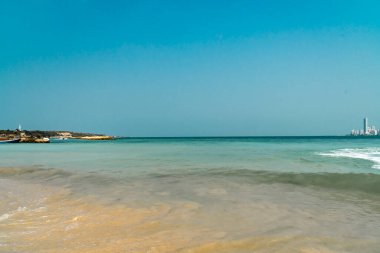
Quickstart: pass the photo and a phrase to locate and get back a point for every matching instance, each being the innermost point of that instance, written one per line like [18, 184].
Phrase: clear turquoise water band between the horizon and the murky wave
[143, 155]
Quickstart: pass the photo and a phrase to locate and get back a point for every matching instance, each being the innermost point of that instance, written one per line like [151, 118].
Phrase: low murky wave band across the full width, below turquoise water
[357, 182]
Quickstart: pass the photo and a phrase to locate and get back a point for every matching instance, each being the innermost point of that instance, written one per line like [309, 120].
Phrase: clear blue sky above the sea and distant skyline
[190, 68]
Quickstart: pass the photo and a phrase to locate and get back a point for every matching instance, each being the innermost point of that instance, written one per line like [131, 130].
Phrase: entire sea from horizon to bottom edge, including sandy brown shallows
[227, 194]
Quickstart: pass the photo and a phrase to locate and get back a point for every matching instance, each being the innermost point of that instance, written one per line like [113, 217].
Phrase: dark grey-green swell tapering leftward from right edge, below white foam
[354, 182]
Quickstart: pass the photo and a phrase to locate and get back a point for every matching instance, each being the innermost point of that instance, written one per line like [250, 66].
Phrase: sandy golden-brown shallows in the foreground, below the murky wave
[43, 217]
